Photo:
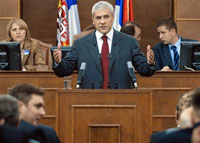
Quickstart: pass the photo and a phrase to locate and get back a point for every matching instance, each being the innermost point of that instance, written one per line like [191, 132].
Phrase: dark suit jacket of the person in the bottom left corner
[10, 134]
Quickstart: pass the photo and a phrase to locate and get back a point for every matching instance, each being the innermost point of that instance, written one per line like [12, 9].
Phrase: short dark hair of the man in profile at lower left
[23, 92]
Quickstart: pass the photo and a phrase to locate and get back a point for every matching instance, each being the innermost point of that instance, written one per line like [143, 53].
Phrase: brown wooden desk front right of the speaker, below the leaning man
[170, 79]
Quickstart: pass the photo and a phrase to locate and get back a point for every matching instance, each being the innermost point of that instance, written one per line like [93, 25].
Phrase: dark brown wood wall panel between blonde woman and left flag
[40, 16]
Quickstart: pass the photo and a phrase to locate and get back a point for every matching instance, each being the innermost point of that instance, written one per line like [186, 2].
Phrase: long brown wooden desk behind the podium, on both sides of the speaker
[47, 79]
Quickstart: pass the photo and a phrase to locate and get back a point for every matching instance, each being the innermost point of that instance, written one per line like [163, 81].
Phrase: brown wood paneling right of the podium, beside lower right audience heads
[164, 101]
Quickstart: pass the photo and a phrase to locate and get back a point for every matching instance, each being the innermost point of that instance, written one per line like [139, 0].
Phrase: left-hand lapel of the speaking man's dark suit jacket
[92, 47]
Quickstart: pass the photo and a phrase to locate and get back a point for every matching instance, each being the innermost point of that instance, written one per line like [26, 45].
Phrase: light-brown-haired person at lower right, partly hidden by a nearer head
[183, 119]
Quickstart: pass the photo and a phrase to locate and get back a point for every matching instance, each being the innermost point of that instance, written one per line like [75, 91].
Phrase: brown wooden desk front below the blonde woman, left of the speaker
[42, 79]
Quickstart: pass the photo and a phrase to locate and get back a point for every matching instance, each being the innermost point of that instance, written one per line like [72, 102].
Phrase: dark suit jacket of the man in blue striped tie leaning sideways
[163, 56]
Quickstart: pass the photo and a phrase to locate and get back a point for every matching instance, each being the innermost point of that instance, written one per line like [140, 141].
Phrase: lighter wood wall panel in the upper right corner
[187, 17]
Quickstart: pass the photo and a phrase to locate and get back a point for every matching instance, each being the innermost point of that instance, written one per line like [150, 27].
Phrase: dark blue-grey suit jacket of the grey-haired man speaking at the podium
[124, 48]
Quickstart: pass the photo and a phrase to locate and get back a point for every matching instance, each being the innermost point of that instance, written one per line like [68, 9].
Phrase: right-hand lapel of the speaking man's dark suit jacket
[116, 46]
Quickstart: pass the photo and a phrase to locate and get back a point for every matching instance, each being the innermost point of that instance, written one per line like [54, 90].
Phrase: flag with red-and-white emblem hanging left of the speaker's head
[68, 23]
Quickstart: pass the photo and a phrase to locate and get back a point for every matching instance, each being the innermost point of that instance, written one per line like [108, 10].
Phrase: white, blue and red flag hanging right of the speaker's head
[123, 13]
